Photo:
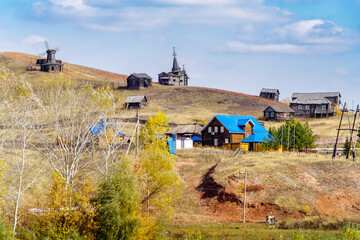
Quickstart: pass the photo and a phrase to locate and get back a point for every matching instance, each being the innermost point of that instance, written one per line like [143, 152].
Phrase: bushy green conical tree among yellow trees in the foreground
[118, 204]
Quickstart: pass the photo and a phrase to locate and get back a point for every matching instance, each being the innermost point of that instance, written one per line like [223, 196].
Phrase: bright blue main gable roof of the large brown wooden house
[231, 123]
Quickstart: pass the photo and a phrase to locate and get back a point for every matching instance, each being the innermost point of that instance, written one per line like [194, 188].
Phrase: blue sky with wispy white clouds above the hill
[237, 45]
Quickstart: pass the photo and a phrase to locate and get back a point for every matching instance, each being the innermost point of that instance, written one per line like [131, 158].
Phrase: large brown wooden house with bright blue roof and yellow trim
[231, 131]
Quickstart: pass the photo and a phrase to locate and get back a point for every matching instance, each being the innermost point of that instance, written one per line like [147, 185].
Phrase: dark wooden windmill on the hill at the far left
[50, 64]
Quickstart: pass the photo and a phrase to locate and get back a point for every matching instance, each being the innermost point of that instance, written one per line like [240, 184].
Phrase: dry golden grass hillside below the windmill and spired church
[180, 104]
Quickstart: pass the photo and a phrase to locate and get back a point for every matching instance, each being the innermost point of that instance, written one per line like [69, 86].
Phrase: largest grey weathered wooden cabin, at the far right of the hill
[315, 105]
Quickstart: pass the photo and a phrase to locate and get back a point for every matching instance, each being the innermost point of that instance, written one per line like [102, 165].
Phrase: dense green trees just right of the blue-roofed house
[291, 135]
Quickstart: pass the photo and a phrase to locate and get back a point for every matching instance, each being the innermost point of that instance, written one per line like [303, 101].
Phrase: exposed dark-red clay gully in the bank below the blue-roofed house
[228, 207]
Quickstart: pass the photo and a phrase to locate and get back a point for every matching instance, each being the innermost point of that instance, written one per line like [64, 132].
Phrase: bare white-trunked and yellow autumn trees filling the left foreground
[92, 192]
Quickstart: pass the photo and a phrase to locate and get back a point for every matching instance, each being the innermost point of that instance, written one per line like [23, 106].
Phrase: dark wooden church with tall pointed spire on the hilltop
[177, 76]
